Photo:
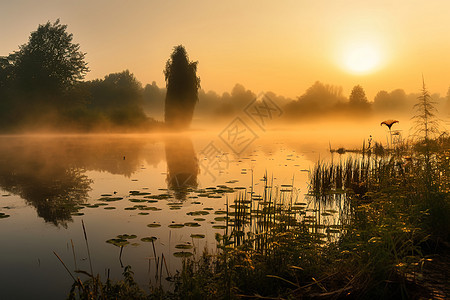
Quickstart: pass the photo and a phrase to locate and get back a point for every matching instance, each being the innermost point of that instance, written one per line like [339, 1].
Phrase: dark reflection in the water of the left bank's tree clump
[49, 173]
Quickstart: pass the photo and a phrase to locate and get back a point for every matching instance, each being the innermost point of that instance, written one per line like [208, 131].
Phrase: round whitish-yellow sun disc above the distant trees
[362, 58]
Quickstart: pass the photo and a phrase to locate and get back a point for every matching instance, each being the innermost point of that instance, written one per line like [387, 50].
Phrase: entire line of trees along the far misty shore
[42, 87]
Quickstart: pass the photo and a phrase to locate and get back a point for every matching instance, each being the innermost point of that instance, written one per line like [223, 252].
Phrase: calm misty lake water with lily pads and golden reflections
[173, 187]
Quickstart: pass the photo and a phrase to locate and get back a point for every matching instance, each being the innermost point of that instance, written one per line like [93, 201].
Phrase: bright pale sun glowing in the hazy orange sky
[361, 57]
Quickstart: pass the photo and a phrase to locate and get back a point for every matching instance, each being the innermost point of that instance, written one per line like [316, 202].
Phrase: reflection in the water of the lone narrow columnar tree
[182, 166]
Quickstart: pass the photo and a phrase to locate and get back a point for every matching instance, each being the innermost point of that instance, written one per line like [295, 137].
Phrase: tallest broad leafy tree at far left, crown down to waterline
[34, 80]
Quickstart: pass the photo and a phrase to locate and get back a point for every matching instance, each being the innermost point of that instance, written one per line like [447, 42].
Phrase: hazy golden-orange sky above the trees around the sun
[280, 46]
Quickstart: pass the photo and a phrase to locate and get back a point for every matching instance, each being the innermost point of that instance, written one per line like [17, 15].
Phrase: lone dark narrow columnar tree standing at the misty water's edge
[182, 89]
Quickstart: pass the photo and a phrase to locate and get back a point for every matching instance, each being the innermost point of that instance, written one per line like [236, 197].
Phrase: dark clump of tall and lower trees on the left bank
[41, 88]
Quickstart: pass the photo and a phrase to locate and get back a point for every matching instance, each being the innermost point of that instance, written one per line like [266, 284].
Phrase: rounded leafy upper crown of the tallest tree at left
[50, 62]
